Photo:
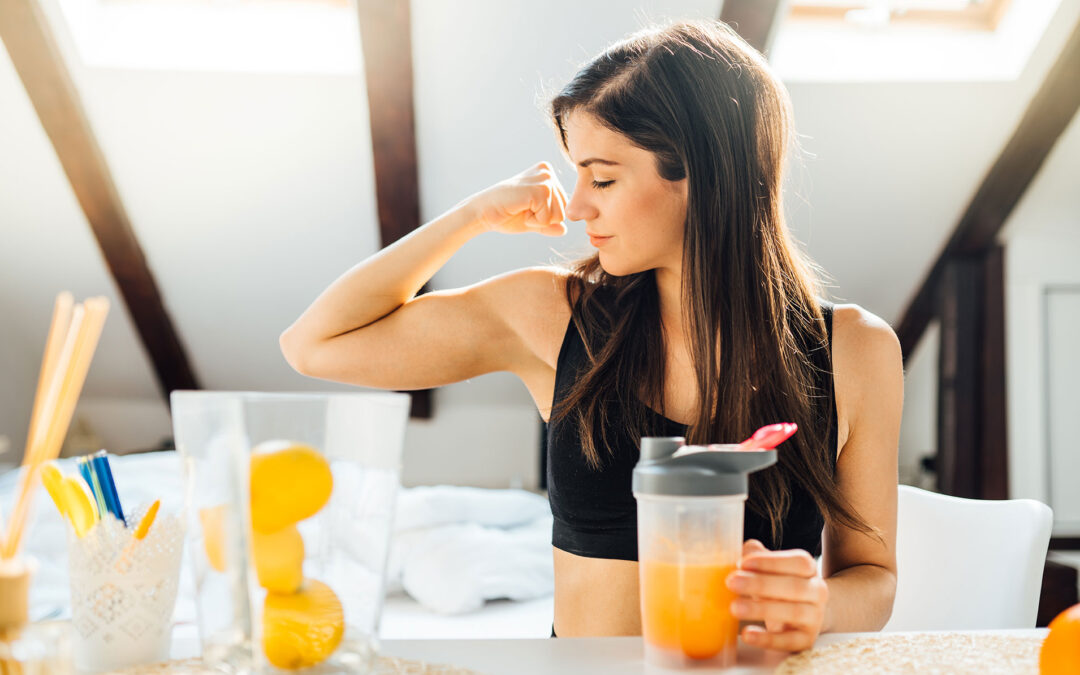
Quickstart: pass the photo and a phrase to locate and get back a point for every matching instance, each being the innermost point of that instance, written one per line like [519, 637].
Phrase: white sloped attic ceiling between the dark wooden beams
[251, 193]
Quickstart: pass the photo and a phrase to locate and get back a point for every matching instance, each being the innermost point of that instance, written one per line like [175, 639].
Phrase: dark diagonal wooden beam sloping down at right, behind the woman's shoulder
[1047, 117]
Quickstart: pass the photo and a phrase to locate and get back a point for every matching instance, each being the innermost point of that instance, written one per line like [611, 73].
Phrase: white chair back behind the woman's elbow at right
[968, 564]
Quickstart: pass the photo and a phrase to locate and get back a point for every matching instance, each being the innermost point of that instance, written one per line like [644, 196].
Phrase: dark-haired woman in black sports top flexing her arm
[697, 317]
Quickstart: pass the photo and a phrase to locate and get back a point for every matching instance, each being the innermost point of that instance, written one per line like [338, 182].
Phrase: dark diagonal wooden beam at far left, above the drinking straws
[26, 34]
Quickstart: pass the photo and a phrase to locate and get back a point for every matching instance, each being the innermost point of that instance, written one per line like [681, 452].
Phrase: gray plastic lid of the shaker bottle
[668, 467]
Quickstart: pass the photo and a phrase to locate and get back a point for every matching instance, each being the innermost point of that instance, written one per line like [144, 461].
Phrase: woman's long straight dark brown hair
[710, 110]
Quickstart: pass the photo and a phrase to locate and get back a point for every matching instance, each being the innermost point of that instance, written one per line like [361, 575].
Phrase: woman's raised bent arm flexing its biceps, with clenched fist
[369, 329]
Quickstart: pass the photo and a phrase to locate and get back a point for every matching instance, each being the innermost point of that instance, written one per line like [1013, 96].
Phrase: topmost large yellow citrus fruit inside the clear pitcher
[288, 485]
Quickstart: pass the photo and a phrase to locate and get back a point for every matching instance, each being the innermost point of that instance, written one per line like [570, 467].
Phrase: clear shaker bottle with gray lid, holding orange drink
[690, 535]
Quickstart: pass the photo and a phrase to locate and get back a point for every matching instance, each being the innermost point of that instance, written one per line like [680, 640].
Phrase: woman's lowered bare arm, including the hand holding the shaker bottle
[784, 589]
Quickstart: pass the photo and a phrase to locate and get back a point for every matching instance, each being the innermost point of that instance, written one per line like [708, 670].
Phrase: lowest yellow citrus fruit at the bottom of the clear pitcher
[302, 629]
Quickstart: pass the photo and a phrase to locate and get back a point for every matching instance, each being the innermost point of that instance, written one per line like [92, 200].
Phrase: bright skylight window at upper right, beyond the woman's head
[909, 40]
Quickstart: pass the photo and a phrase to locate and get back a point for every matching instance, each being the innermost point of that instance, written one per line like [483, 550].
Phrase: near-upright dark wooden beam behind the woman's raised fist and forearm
[387, 42]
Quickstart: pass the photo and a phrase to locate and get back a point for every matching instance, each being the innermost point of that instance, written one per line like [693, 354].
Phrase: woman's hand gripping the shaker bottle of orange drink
[782, 589]
